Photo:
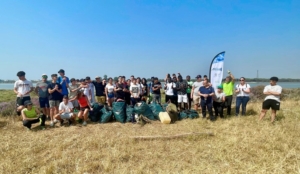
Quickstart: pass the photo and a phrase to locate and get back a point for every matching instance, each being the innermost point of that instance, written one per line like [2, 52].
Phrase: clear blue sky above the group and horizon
[149, 38]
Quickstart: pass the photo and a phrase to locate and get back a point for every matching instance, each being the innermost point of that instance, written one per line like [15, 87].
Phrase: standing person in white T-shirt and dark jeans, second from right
[242, 90]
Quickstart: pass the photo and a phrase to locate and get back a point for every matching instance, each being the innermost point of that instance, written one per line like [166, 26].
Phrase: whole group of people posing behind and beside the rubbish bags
[59, 97]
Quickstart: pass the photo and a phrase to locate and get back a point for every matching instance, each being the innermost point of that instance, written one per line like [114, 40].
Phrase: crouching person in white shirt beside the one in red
[65, 111]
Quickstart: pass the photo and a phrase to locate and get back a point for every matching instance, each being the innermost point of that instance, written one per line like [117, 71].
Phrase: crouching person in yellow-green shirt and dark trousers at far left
[30, 115]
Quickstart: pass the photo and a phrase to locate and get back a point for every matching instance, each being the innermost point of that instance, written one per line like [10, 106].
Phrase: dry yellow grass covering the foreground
[240, 145]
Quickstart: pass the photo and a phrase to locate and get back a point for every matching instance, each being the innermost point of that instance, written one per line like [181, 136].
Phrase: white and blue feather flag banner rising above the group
[216, 70]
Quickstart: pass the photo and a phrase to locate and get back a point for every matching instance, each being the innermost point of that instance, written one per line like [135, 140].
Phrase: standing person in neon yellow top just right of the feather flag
[228, 87]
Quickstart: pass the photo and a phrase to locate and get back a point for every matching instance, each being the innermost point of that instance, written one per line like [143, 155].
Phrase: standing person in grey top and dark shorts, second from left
[42, 91]
